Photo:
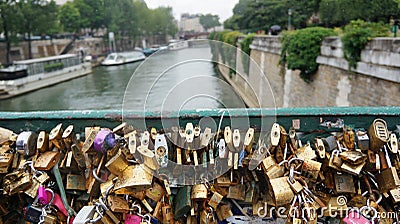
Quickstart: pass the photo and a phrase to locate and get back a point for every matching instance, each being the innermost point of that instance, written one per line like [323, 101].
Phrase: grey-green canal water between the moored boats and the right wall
[169, 81]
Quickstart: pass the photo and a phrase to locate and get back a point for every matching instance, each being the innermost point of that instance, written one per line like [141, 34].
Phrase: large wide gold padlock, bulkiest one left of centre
[134, 177]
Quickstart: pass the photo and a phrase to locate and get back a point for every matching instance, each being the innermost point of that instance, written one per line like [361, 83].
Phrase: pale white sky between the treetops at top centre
[223, 8]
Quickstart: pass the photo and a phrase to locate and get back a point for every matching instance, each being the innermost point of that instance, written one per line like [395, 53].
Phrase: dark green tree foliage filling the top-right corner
[341, 12]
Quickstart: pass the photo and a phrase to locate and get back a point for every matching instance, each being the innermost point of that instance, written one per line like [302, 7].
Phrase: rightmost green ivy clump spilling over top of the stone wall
[356, 36]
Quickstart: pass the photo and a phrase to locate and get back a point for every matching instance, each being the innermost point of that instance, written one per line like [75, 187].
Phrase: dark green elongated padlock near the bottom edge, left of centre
[182, 202]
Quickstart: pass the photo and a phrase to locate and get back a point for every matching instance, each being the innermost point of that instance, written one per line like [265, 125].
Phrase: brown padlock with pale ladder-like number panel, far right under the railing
[378, 134]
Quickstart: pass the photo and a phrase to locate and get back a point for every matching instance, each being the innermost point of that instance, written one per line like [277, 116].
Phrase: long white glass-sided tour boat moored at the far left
[29, 75]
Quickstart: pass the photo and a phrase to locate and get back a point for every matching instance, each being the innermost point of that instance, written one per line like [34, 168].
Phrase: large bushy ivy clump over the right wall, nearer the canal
[301, 48]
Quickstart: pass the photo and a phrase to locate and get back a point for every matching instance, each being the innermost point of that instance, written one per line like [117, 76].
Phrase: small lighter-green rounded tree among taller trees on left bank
[69, 17]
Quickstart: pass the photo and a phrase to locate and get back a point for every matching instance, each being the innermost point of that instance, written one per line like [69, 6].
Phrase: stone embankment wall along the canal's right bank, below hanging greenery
[375, 82]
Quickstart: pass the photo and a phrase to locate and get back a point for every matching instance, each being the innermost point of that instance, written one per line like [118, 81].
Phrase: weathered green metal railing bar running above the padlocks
[309, 119]
